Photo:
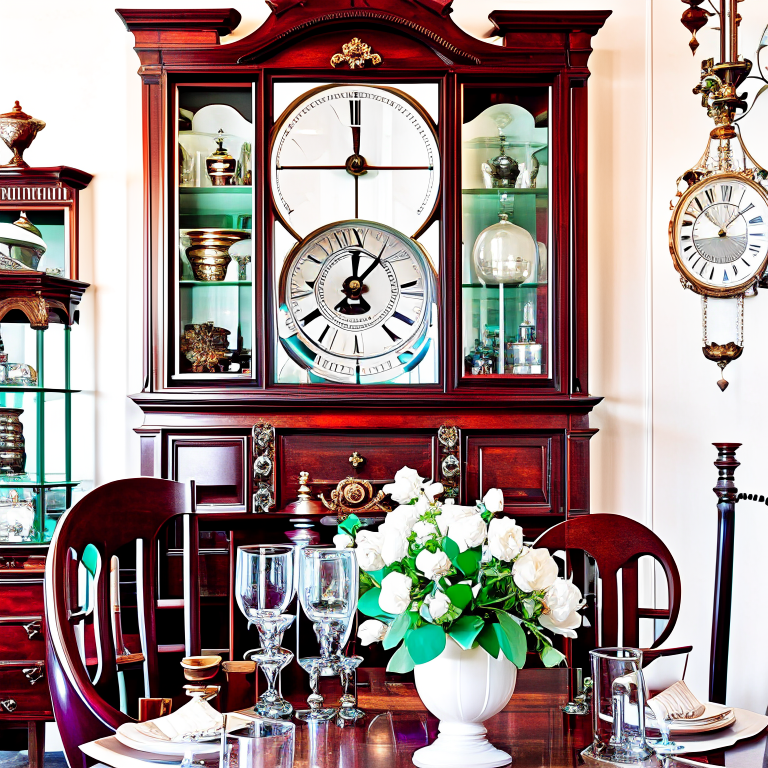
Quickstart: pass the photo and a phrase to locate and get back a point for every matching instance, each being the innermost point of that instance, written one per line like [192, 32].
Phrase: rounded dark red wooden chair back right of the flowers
[616, 543]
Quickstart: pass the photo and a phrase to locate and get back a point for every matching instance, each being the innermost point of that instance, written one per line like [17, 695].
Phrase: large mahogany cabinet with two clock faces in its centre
[365, 247]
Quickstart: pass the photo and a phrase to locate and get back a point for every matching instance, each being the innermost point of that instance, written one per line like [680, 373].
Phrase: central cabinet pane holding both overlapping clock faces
[355, 181]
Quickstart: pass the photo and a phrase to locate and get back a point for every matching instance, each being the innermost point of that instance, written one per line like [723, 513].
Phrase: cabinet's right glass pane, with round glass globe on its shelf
[506, 227]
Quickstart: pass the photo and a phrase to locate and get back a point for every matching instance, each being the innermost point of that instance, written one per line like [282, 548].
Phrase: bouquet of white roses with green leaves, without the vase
[436, 570]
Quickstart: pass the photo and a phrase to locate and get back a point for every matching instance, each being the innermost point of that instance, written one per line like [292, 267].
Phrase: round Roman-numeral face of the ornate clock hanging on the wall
[719, 234]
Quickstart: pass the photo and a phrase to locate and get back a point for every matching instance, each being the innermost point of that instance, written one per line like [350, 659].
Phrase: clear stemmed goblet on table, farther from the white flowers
[264, 587]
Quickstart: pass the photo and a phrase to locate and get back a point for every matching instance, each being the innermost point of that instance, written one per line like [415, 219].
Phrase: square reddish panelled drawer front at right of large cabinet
[527, 468]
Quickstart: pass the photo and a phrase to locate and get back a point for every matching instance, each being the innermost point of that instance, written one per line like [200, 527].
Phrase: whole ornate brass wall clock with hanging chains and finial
[718, 234]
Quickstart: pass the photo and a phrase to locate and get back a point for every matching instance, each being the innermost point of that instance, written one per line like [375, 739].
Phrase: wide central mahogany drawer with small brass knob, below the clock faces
[326, 457]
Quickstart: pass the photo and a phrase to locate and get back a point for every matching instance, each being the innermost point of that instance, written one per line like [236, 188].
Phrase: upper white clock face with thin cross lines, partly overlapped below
[354, 151]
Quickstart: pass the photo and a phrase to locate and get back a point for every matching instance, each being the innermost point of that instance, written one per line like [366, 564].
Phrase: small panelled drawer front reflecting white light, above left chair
[218, 467]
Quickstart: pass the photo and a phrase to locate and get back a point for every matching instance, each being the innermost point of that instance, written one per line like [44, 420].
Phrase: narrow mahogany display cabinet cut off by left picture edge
[39, 298]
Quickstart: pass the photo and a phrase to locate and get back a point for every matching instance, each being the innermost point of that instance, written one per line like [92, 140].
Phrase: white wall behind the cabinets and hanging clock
[72, 64]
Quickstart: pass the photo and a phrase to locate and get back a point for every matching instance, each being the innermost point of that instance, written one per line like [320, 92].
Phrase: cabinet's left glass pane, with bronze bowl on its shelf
[214, 276]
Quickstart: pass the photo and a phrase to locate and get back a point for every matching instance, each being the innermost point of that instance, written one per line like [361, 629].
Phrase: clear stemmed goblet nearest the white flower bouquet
[328, 595]
